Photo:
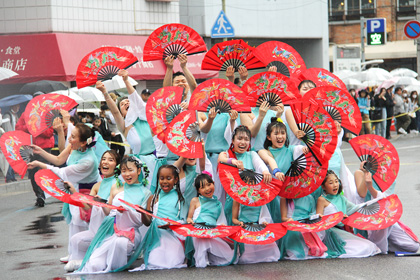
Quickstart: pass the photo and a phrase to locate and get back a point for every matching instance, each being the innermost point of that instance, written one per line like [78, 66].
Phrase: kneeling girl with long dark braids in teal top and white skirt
[161, 247]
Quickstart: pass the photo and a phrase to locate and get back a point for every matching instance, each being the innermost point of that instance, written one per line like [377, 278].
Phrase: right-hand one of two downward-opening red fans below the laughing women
[304, 176]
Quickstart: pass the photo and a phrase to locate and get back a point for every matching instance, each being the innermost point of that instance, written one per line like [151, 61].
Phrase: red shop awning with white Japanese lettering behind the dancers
[56, 56]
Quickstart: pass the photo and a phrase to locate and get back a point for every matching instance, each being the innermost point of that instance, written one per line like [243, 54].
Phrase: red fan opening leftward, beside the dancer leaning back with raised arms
[162, 107]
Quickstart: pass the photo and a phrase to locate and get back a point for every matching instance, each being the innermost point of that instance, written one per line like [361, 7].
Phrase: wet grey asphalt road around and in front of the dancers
[33, 239]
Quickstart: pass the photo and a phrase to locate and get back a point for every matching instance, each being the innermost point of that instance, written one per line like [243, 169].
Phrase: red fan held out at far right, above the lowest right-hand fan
[381, 158]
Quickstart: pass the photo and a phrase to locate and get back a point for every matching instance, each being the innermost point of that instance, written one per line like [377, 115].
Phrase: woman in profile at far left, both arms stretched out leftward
[81, 171]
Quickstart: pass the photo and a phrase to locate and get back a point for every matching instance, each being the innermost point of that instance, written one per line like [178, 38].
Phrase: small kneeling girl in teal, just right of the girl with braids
[206, 209]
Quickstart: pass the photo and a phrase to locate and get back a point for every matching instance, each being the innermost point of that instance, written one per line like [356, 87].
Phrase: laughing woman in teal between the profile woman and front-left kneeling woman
[80, 242]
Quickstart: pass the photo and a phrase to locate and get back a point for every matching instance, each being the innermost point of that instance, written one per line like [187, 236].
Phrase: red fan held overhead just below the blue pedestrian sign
[234, 53]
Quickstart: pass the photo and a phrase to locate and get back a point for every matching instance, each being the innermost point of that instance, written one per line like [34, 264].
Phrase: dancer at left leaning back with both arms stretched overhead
[130, 116]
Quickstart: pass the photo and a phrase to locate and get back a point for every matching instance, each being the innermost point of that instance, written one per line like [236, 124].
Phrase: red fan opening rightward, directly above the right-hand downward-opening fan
[320, 129]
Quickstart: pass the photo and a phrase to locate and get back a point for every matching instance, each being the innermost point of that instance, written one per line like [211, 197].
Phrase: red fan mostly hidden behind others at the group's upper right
[322, 77]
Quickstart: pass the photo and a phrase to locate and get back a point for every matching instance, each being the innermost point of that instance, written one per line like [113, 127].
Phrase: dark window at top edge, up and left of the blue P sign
[340, 10]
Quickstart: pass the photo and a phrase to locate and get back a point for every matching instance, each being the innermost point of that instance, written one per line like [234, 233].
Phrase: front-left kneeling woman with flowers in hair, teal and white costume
[115, 246]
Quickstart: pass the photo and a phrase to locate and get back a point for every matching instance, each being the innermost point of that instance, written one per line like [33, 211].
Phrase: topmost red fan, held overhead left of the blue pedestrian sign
[172, 39]
